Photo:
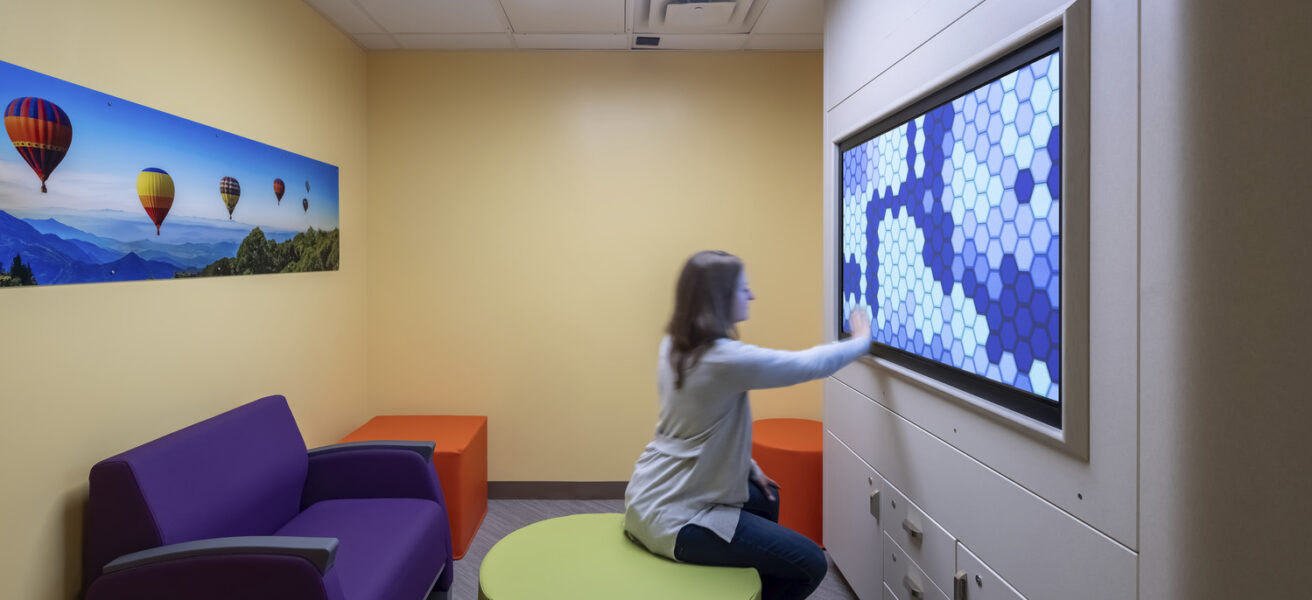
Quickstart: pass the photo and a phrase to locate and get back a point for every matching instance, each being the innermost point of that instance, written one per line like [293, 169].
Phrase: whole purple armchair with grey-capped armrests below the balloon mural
[236, 507]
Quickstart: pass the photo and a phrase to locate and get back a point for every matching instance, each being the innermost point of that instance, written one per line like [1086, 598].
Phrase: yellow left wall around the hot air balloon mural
[89, 371]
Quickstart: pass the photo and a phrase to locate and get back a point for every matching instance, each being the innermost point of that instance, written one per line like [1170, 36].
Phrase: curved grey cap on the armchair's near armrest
[319, 552]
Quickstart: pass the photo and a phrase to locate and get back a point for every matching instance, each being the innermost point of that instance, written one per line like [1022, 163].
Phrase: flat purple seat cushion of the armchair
[389, 548]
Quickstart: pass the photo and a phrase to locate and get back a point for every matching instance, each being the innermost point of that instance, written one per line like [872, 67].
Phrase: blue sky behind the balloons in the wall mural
[95, 187]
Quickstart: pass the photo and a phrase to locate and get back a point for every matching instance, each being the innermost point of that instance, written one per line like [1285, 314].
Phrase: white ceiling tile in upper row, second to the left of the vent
[436, 16]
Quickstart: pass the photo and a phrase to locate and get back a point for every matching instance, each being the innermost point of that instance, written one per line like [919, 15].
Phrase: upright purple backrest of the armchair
[236, 475]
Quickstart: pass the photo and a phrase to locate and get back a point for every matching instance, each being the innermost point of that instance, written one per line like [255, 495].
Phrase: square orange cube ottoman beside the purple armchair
[461, 460]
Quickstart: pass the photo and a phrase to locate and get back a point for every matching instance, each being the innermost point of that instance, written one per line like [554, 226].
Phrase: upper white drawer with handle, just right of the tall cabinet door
[928, 544]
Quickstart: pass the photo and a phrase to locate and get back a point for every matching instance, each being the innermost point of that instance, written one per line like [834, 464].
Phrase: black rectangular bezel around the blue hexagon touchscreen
[1032, 406]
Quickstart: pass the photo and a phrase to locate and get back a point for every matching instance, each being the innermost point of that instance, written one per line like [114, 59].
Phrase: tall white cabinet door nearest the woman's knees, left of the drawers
[851, 525]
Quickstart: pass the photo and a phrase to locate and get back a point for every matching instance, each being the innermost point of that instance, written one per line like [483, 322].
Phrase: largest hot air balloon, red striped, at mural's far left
[41, 132]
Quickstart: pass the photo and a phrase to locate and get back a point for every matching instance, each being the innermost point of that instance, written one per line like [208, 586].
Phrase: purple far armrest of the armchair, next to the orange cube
[372, 471]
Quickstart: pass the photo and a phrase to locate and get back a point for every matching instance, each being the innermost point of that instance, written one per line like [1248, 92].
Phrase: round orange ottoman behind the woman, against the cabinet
[789, 451]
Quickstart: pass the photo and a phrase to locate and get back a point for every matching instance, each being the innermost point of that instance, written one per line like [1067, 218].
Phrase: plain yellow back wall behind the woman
[529, 213]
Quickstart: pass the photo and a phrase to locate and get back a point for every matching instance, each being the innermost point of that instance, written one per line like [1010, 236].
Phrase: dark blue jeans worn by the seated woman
[792, 567]
